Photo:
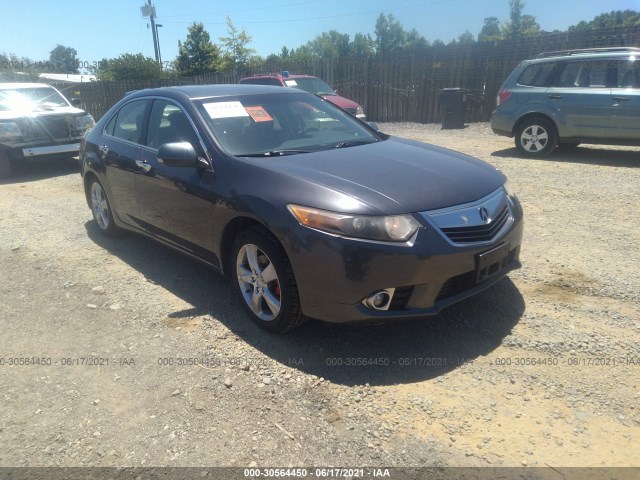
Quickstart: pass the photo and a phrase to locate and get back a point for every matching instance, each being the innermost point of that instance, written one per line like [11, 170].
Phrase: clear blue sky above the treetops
[107, 29]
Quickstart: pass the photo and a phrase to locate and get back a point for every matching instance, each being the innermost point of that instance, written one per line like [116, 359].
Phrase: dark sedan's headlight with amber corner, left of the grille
[396, 228]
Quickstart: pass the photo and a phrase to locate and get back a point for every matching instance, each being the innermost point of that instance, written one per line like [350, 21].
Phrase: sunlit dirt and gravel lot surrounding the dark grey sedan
[541, 370]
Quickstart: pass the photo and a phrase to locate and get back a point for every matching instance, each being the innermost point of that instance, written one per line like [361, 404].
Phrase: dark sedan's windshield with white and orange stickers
[281, 124]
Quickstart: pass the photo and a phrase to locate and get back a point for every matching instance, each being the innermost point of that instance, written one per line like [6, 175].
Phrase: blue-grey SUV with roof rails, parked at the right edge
[562, 99]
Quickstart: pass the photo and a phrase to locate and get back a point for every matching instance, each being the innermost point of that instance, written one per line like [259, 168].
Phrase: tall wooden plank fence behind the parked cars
[401, 88]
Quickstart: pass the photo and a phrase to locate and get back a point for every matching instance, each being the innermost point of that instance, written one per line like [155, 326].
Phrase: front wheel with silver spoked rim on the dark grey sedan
[264, 281]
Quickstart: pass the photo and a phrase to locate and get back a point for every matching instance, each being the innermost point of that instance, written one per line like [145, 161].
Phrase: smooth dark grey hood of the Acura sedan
[393, 176]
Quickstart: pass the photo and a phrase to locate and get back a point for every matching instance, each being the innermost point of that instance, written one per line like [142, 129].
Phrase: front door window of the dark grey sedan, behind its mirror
[167, 124]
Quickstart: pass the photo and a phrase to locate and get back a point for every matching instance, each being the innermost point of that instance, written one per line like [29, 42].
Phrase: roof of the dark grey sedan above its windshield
[219, 90]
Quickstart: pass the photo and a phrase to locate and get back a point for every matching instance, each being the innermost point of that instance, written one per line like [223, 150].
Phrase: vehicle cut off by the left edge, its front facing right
[37, 122]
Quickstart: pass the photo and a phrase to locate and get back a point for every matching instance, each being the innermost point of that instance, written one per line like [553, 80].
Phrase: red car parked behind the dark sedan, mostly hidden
[310, 84]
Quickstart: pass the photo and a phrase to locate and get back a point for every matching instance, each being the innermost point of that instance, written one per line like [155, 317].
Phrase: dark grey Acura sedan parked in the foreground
[310, 212]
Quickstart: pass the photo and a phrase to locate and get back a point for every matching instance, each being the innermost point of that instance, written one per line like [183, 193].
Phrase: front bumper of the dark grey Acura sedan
[336, 274]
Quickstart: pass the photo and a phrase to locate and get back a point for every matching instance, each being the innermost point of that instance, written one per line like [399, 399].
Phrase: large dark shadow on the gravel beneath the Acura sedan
[391, 353]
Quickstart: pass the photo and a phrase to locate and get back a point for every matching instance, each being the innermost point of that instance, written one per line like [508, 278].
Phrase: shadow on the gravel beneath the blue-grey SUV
[585, 155]
